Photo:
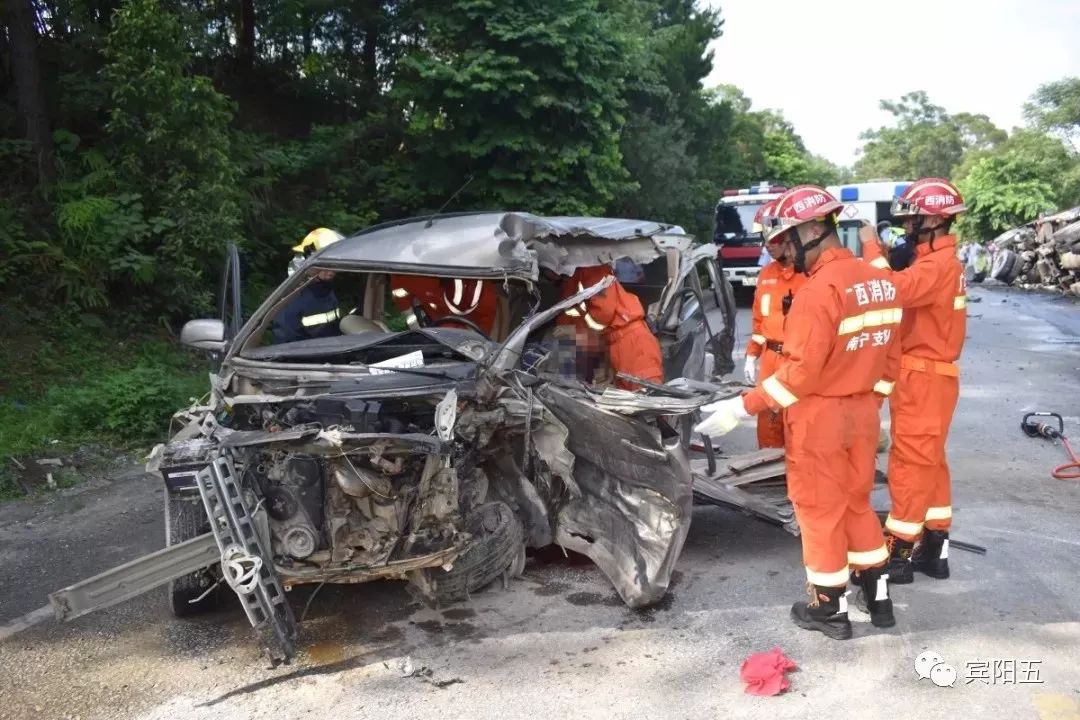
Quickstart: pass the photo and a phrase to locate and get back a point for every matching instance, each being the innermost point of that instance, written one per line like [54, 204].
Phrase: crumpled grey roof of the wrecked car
[501, 244]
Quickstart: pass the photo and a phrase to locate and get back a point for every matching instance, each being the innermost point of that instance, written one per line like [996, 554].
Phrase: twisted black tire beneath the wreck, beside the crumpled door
[498, 547]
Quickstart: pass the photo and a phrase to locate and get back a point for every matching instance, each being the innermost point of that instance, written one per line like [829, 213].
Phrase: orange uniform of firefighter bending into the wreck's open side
[618, 317]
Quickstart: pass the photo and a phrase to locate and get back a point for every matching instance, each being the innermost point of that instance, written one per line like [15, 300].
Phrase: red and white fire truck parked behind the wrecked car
[740, 247]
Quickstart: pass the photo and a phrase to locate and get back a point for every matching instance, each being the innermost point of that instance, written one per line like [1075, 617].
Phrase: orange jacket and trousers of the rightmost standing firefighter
[936, 319]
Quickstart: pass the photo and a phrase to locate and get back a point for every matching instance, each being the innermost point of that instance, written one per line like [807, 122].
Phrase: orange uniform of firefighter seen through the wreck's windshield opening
[442, 298]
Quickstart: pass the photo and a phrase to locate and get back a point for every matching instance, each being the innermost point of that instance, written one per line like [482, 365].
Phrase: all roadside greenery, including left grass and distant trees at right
[140, 138]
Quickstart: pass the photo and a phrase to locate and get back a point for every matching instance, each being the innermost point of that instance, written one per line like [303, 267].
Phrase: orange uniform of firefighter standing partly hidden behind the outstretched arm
[775, 283]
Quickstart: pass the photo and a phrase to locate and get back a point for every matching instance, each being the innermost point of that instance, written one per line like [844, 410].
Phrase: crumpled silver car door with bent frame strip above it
[628, 492]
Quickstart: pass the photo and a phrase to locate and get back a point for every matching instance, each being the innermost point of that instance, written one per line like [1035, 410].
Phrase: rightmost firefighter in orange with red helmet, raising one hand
[936, 317]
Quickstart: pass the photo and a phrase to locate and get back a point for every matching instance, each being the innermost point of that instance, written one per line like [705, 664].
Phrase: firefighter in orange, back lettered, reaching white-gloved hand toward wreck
[840, 350]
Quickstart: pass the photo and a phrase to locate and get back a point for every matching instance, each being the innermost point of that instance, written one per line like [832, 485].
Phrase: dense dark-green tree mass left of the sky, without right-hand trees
[141, 137]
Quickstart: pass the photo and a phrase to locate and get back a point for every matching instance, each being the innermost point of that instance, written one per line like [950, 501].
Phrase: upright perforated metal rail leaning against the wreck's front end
[261, 593]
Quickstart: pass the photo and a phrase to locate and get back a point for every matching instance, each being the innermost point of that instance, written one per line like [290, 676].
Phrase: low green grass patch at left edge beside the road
[86, 382]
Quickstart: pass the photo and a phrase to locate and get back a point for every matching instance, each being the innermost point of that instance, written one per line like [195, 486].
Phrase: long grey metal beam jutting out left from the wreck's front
[132, 579]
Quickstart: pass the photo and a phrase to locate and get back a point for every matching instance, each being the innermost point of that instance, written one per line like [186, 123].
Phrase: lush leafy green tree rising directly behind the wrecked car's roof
[523, 97]
